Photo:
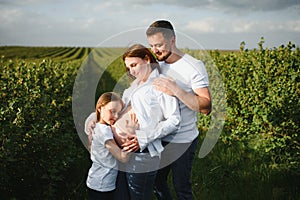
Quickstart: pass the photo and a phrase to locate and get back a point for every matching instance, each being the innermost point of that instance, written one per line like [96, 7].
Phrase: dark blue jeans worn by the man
[181, 171]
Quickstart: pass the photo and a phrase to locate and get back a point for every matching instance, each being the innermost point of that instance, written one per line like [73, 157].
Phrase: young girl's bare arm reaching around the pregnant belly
[114, 149]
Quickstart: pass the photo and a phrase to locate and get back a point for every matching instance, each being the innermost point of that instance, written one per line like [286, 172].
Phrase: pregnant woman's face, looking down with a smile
[138, 67]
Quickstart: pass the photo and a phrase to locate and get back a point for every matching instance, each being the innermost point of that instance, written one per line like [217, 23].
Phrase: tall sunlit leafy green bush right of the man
[262, 87]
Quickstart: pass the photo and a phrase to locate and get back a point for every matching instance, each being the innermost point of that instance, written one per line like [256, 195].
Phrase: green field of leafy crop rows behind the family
[257, 155]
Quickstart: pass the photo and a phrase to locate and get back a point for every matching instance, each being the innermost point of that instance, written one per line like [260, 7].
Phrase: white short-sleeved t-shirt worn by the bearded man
[189, 74]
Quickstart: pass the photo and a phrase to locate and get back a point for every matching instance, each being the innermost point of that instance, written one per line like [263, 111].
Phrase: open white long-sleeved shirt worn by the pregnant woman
[157, 113]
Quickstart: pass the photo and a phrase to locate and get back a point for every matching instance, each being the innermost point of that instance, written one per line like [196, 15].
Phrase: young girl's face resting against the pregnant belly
[110, 112]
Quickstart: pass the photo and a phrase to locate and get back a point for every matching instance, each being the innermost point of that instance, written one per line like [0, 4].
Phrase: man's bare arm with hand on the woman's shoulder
[200, 101]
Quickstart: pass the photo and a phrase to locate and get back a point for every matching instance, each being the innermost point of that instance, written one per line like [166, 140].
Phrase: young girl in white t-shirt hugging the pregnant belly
[103, 172]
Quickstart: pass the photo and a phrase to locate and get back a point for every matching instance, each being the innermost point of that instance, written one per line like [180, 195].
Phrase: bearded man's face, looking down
[160, 46]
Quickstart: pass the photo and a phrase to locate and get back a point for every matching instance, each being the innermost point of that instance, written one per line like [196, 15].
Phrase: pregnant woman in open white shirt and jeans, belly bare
[156, 115]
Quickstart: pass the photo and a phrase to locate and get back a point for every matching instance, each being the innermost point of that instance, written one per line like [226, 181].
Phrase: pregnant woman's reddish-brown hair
[140, 51]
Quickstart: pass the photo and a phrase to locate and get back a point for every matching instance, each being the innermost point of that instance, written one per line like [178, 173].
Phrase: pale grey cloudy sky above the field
[211, 24]
